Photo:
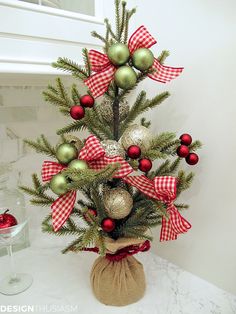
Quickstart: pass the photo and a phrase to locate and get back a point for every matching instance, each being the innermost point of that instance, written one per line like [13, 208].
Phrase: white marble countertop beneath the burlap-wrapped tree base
[61, 280]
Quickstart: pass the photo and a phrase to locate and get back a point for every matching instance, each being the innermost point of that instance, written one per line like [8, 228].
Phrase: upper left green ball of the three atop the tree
[118, 54]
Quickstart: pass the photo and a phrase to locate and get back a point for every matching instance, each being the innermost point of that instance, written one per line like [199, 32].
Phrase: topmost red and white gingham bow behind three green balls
[99, 82]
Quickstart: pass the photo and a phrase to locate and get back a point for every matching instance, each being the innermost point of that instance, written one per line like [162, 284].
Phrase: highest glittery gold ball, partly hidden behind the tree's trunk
[105, 110]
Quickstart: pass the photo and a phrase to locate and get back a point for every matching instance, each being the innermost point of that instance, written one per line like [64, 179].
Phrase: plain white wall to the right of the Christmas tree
[200, 35]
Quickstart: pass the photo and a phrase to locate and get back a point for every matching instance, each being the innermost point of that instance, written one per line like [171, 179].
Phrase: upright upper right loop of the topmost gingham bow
[141, 38]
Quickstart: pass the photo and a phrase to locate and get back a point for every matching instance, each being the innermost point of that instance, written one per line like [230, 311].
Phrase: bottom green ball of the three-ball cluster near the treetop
[125, 77]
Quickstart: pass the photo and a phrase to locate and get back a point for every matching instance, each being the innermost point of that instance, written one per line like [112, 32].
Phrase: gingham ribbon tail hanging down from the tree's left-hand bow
[62, 208]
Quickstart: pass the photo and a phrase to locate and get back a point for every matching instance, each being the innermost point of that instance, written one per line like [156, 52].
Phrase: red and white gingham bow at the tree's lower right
[163, 189]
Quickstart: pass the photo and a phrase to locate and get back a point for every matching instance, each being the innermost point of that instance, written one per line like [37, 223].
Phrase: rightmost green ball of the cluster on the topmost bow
[143, 59]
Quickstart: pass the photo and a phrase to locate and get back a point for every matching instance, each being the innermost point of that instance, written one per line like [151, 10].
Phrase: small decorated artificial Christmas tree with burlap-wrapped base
[121, 203]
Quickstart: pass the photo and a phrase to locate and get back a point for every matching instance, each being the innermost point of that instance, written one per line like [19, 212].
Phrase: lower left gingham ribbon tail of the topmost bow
[98, 83]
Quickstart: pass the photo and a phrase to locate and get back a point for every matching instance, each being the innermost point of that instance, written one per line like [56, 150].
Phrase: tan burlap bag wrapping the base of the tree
[118, 282]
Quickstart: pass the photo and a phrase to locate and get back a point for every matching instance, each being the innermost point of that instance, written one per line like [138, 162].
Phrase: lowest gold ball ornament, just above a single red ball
[118, 203]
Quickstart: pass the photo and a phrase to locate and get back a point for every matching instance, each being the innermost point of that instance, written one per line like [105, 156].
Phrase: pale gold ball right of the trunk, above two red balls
[137, 135]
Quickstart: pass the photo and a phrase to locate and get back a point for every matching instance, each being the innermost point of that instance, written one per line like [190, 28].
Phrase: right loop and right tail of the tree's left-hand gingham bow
[96, 157]
